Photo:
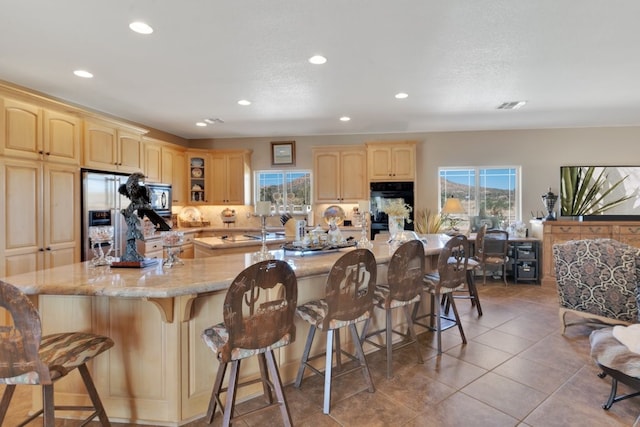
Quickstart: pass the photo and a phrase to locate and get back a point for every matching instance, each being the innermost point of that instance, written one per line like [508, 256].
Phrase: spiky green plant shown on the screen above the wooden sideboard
[582, 194]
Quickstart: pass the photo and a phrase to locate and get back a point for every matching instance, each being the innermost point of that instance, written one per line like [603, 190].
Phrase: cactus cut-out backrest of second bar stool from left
[259, 307]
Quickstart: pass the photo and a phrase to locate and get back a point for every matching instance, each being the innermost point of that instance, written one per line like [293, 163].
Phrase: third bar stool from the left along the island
[349, 300]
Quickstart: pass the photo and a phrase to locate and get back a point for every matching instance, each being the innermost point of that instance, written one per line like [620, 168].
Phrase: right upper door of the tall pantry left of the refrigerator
[61, 138]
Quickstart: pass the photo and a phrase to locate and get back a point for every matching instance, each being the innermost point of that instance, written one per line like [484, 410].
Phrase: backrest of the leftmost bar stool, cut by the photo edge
[20, 342]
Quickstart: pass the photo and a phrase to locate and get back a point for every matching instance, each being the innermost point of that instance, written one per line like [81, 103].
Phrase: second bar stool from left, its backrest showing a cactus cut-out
[267, 292]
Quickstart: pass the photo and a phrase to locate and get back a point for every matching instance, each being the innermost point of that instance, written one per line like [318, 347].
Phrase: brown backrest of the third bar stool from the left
[350, 287]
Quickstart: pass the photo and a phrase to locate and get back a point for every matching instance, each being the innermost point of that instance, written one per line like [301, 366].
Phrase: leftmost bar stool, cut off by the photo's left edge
[26, 357]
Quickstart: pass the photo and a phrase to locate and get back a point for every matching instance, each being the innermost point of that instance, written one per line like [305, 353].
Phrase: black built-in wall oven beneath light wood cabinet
[383, 193]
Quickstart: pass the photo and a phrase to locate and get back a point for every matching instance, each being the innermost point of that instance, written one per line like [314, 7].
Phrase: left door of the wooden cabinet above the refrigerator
[100, 146]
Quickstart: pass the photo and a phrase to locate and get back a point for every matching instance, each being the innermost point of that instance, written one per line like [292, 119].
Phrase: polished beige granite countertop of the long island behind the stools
[194, 277]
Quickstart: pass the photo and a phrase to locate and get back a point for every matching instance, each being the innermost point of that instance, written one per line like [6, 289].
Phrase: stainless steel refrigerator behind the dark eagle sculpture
[101, 204]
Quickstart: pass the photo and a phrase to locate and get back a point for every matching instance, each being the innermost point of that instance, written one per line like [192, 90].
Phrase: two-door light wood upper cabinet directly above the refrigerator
[109, 146]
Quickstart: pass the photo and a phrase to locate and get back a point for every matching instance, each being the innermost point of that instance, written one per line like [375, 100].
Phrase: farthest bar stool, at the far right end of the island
[451, 275]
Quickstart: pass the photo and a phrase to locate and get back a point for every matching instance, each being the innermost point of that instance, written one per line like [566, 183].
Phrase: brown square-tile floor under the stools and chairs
[516, 370]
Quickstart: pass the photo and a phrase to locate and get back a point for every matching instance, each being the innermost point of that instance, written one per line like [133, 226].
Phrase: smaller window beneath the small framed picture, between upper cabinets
[283, 188]
